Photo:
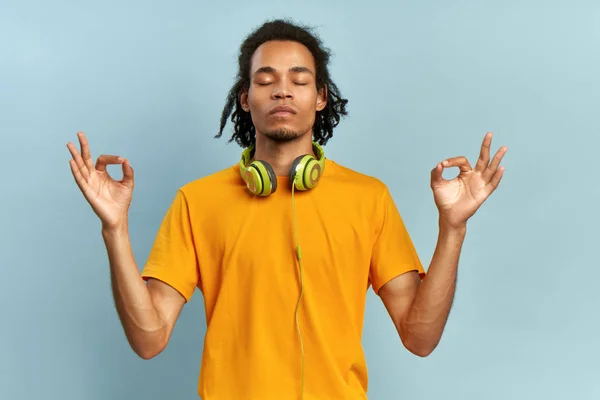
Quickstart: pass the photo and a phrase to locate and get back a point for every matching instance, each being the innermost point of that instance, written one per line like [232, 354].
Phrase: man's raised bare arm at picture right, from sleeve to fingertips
[420, 309]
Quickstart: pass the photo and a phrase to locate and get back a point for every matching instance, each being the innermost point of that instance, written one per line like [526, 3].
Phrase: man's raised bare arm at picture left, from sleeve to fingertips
[148, 311]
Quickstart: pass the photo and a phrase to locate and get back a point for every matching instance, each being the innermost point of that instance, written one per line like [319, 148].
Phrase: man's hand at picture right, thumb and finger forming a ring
[458, 199]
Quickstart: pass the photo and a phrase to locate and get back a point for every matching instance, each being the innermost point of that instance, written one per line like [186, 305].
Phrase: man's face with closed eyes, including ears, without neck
[282, 73]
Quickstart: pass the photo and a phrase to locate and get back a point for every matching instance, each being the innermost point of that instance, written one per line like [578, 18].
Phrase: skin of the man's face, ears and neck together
[283, 74]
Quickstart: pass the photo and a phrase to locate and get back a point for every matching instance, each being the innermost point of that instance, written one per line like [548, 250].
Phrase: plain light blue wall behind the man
[426, 80]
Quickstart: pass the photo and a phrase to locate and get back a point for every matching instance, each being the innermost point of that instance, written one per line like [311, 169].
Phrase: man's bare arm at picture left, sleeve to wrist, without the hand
[148, 312]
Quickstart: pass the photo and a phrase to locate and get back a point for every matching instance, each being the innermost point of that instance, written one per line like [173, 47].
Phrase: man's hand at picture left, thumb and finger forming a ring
[110, 199]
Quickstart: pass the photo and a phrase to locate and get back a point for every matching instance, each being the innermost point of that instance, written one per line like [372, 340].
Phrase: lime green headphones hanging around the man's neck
[260, 178]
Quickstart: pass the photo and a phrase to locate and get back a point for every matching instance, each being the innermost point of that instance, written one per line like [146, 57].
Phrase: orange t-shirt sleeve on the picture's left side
[172, 258]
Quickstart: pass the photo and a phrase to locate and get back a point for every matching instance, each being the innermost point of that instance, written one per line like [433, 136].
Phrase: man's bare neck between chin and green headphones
[281, 155]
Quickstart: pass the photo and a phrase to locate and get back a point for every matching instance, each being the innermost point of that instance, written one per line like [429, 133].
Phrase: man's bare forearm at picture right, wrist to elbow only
[425, 321]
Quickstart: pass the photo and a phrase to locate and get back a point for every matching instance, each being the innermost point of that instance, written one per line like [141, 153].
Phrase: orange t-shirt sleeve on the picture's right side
[393, 252]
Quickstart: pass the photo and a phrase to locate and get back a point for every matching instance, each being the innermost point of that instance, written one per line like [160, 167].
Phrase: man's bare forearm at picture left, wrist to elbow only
[140, 319]
